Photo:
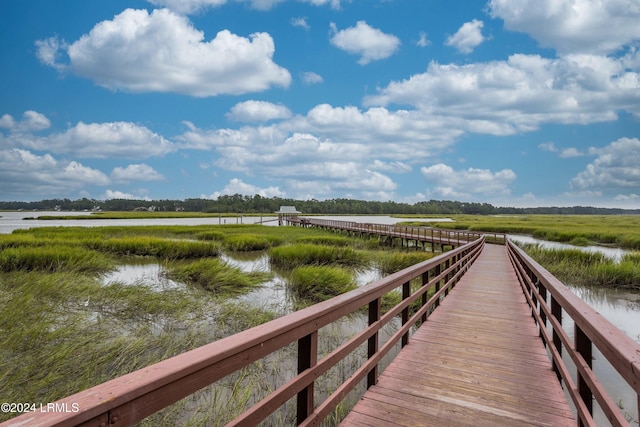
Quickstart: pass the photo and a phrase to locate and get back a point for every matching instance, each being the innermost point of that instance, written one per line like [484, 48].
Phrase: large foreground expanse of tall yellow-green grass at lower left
[64, 332]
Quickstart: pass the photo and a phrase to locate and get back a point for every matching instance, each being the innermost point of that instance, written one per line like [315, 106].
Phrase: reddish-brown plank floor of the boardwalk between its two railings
[477, 361]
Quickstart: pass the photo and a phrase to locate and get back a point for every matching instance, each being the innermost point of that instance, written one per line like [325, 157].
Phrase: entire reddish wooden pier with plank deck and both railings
[481, 339]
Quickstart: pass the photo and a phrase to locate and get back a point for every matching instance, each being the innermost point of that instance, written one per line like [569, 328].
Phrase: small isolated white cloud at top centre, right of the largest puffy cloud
[368, 42]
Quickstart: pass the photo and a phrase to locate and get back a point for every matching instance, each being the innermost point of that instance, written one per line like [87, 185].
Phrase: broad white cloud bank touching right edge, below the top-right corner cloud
[521, 93]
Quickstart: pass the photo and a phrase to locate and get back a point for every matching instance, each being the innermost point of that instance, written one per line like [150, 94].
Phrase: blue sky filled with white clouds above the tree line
[514, 103]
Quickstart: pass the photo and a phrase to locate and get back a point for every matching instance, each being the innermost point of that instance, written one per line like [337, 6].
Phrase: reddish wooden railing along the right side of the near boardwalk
[549, 299]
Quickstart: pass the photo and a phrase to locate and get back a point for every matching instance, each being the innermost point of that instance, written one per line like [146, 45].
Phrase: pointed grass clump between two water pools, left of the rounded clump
[217, 276]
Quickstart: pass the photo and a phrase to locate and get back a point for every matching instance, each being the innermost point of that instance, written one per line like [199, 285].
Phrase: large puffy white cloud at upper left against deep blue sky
[161, 51]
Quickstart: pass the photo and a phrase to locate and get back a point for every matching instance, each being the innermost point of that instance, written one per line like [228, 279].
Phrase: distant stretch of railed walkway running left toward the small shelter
[423, 234]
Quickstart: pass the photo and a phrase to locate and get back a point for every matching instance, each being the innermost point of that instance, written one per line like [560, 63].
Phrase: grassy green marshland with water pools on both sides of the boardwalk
[79, 305]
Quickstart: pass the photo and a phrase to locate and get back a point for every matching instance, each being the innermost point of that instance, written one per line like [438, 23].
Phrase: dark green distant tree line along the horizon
[238, 203]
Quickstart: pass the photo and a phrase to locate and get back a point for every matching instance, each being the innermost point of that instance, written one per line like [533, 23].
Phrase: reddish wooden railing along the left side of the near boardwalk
[132, 397]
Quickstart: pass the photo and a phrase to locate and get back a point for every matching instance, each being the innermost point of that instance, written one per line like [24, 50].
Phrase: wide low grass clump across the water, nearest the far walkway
[291, 256]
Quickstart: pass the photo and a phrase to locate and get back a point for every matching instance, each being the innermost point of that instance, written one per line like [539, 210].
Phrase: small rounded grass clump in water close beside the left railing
[318, 283]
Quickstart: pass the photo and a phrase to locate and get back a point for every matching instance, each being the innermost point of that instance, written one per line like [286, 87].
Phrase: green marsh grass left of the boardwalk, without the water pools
[64, 331]
